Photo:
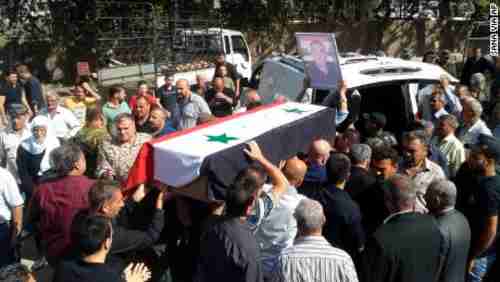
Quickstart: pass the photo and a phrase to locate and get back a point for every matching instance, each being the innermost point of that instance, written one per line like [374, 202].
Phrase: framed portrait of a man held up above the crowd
[320, 55]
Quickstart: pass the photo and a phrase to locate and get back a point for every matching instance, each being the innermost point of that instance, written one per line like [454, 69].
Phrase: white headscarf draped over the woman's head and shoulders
[49, 143]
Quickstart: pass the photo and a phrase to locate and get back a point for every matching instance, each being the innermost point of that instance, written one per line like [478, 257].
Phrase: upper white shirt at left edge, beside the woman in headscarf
[9, 142]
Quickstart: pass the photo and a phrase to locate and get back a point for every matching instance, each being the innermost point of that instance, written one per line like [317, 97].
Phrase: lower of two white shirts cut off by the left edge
[10, 197]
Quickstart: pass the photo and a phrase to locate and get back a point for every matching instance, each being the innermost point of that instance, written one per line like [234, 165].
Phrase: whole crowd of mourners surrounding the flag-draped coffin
[365, 205]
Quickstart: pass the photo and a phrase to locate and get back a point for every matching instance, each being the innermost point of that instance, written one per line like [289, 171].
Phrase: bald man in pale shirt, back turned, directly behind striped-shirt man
[279, 228]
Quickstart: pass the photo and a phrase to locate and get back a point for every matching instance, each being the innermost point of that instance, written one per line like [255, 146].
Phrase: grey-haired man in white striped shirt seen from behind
[312, 258]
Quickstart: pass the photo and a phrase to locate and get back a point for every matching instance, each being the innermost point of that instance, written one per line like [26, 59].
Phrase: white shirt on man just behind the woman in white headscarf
[63, 123]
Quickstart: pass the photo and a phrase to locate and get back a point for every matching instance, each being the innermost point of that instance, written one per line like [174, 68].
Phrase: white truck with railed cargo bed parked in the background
[212, 41]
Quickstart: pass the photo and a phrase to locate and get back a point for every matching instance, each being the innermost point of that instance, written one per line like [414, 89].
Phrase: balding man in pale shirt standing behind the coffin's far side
[191, 106]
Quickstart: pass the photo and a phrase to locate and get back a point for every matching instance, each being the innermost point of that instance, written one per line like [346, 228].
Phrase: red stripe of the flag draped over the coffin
[143, 169]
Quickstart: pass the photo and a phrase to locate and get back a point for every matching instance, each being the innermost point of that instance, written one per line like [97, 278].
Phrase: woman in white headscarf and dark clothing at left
[33, 156]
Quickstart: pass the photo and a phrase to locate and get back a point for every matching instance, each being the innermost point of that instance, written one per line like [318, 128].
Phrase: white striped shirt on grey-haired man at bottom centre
[312, 258]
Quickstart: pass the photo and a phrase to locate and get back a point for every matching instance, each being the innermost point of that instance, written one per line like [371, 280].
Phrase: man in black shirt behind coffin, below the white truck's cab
[220, 99]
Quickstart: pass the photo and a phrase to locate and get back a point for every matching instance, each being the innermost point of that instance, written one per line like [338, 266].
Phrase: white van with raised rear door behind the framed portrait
[386, 85]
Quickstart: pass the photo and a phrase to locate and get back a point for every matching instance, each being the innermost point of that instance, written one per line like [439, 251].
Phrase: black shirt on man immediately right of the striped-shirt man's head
[343, 227]
